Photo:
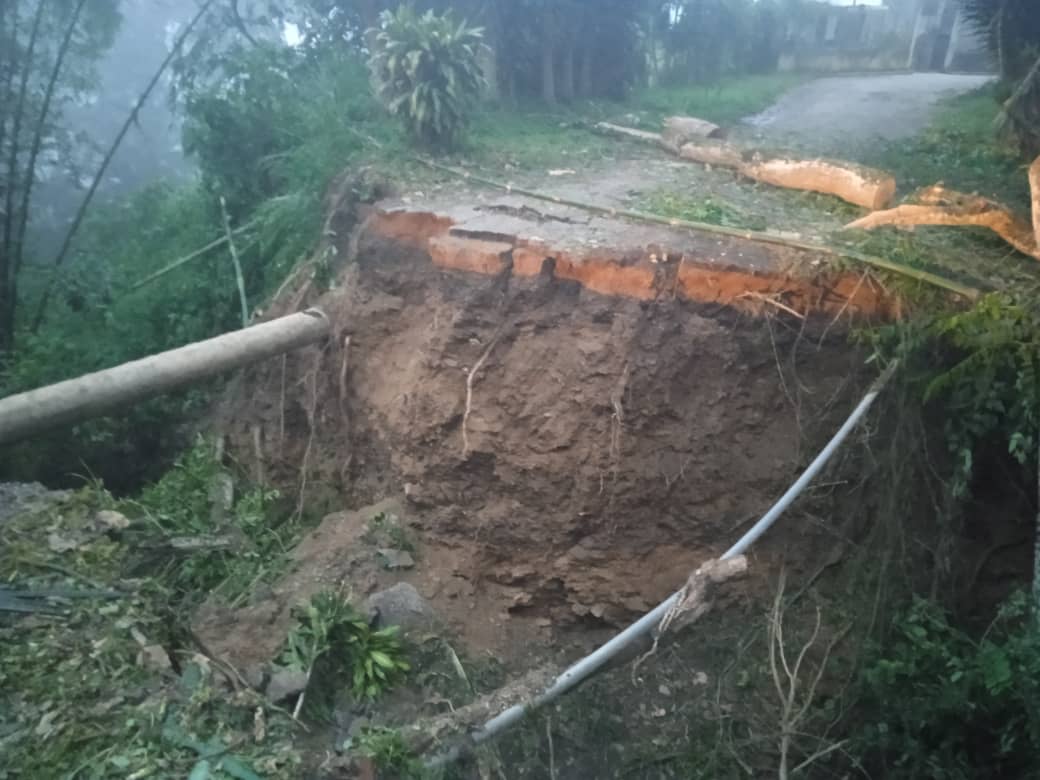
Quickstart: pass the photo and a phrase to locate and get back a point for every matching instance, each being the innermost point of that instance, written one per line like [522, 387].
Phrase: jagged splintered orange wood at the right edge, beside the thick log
[941, 206]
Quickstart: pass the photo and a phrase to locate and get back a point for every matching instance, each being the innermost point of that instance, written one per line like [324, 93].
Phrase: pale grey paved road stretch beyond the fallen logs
[831, 115]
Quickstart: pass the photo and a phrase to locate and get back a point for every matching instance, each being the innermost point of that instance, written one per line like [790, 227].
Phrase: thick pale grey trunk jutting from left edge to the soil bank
[96, 395]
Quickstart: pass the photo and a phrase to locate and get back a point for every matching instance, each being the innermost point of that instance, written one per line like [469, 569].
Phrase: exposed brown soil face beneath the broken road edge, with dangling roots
[564, 455]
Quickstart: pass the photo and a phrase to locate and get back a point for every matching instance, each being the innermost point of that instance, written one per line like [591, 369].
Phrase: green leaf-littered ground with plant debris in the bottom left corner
[107, 683]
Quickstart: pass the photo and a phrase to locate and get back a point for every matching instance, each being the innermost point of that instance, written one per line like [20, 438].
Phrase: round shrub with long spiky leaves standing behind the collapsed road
[427, 72]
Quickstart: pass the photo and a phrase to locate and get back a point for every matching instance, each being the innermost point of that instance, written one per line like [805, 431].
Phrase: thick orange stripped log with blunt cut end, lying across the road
[859, 185]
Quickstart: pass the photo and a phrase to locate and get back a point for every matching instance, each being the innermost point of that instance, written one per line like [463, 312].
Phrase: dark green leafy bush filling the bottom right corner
[941, 705]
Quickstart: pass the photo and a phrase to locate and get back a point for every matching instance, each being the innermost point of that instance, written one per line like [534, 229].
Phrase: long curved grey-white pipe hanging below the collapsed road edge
[593, 663]
